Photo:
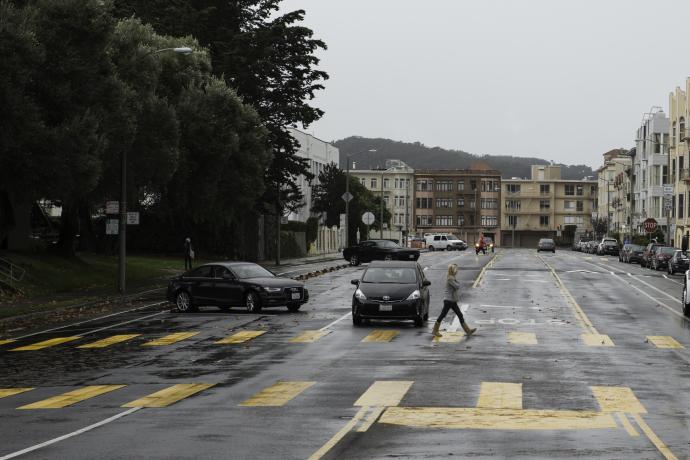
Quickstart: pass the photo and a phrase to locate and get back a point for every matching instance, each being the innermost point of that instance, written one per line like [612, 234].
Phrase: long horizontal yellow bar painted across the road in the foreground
[496, 419]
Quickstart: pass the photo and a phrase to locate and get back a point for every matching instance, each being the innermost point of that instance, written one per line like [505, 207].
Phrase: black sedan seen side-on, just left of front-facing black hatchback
[235, 284]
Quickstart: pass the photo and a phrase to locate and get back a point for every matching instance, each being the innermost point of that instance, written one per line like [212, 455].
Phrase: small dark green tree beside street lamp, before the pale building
[327, 198]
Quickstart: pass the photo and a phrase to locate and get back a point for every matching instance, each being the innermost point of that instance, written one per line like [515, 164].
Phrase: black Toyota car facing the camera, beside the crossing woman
[391, 290]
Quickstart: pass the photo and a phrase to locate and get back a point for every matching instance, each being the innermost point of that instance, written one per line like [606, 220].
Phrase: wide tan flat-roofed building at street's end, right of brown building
[542, 206]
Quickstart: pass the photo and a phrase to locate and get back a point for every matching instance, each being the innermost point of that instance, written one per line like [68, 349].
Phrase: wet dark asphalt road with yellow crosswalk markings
[562, 366]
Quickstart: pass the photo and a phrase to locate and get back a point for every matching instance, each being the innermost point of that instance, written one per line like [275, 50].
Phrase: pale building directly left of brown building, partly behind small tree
[395, 183]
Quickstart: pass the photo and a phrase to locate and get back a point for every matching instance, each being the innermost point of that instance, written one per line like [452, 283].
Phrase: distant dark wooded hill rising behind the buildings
[419, 156]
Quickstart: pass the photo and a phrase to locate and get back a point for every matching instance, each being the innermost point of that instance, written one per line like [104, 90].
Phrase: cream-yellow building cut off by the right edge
[680, 163]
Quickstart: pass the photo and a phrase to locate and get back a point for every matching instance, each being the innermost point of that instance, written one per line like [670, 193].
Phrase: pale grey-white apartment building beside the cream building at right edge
[650, 167]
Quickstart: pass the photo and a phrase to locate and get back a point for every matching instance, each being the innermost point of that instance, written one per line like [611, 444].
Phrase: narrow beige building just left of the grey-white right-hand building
[613, 201]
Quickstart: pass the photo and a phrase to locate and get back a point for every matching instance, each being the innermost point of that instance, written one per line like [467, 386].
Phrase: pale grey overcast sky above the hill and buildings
[561, 80]
